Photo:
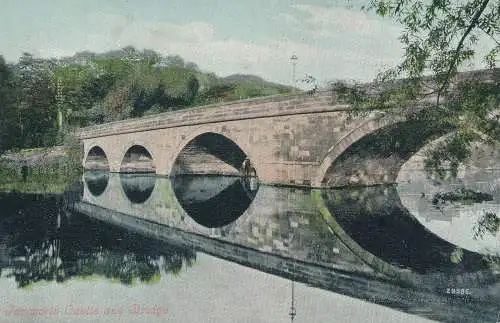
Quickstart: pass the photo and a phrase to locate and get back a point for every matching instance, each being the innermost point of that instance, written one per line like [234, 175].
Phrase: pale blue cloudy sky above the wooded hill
[333, 39]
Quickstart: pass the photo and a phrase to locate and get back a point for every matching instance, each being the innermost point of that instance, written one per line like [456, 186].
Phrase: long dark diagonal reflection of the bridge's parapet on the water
[362, 285]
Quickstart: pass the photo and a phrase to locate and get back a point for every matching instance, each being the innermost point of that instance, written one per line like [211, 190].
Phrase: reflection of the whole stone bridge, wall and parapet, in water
[281, 232]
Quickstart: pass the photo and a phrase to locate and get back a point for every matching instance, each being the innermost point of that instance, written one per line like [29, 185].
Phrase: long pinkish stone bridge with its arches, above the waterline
[299, 140]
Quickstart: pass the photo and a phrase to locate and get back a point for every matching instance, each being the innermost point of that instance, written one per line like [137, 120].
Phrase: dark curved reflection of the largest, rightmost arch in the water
[351, 213]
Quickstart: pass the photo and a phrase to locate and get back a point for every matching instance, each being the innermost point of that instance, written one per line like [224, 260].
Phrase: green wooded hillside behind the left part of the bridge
[91, 88]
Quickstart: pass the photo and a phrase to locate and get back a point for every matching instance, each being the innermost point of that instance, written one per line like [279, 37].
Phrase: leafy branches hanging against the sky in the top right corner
[437, 33]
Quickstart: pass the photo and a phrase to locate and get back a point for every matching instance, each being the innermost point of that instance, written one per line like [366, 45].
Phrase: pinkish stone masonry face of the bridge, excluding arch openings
[289, 140]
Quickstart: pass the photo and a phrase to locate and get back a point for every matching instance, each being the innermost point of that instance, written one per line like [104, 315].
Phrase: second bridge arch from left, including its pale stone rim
[136, 157]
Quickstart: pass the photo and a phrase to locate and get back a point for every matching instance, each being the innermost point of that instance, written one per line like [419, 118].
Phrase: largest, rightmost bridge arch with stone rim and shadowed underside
[375, 151]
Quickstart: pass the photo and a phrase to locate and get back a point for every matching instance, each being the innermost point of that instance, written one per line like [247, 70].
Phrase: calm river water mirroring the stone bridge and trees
[143, 248]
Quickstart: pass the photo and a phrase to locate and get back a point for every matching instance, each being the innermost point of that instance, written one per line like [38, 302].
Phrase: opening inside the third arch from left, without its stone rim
[209, 153]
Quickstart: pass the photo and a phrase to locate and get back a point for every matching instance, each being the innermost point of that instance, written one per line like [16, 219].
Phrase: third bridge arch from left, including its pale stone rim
[232, 155]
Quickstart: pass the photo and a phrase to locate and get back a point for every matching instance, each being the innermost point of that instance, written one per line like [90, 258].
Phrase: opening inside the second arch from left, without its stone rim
[137, 159]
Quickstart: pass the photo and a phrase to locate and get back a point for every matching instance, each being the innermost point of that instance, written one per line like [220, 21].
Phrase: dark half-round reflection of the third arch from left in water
[212, 201]
